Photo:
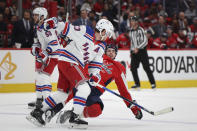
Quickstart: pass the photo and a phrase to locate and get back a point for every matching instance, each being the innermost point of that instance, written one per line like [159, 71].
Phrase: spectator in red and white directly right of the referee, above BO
[161, 42]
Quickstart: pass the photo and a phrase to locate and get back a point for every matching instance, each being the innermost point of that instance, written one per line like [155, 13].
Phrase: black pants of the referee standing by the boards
[141, 56]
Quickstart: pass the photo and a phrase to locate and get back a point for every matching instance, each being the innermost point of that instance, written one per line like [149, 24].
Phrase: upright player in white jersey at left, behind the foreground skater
[44, 40]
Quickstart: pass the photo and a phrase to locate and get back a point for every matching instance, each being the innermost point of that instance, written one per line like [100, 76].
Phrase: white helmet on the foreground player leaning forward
[107, 25]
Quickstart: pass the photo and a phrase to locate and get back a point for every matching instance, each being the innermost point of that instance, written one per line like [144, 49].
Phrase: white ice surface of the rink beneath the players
[116, 117]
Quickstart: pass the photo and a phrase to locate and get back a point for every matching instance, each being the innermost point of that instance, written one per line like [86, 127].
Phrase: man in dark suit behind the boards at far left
[23, 31]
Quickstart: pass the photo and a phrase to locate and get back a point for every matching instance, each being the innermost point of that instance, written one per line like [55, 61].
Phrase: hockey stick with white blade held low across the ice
[160, 112]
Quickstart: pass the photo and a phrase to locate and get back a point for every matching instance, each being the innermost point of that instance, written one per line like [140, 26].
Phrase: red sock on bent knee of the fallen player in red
[92, 111]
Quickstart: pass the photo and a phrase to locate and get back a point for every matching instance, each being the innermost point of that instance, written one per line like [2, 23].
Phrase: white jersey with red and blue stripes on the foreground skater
[82, 50]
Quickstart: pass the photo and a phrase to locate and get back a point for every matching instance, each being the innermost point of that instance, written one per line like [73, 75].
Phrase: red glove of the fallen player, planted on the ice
[136, 111]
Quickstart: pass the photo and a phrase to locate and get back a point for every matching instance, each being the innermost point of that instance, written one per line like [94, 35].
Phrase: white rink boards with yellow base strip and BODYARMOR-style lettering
[171, 69]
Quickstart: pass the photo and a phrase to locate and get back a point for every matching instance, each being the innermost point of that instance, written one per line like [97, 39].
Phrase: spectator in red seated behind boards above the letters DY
[172, 38]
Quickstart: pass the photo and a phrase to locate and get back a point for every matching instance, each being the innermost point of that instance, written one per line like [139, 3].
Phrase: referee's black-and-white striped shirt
[138, 38]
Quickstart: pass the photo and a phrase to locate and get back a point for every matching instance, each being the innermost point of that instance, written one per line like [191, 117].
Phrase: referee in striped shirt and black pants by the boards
[139, 53]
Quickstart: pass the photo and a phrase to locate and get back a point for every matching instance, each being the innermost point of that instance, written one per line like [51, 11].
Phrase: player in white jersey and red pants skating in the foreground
[71, 64]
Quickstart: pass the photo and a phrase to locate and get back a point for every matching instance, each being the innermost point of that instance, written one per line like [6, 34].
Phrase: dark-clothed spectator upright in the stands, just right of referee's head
[159, 28]
